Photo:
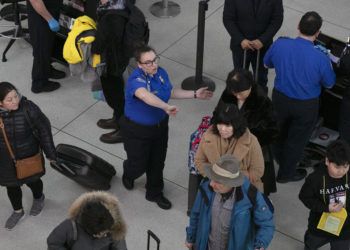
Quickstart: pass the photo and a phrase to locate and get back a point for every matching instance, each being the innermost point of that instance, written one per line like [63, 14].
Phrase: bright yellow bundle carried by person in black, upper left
[83, 31]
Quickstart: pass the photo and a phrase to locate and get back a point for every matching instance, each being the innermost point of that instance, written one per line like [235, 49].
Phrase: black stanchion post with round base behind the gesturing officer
[197, 81]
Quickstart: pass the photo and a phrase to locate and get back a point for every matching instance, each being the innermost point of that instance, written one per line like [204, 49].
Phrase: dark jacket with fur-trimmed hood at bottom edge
[62, 237]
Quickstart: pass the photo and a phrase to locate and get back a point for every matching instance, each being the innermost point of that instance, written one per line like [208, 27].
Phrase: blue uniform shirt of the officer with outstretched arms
[137, 110]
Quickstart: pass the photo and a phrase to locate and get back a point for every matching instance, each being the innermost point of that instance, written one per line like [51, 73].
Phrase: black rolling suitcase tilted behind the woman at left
[83, 167]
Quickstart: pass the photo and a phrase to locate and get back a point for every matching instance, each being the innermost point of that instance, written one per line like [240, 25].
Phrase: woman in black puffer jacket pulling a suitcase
[19, 116]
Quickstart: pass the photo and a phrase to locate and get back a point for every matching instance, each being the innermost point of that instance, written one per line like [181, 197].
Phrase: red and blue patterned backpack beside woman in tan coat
[195, 139]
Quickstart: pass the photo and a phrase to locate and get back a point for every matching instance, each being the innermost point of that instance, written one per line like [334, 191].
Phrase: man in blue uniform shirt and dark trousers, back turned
[301, 72]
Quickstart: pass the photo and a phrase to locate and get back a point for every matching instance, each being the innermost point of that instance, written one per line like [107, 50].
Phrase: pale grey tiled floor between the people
[74, 113]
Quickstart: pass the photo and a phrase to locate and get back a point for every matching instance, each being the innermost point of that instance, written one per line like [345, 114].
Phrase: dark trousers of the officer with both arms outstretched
[146, 148]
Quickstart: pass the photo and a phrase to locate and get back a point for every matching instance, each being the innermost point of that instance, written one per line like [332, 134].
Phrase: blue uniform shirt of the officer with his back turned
[301, 69]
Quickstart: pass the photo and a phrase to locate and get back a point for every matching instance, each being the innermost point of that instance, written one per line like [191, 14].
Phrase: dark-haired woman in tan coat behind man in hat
[229, 135]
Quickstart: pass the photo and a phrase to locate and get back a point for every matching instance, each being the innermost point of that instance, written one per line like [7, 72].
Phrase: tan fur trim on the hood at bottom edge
[111, 203]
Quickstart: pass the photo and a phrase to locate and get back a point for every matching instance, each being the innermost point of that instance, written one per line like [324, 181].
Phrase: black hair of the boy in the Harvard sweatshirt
[338, 152]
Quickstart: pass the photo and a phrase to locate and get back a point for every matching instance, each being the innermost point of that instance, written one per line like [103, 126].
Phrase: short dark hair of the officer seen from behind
[310, 23]
